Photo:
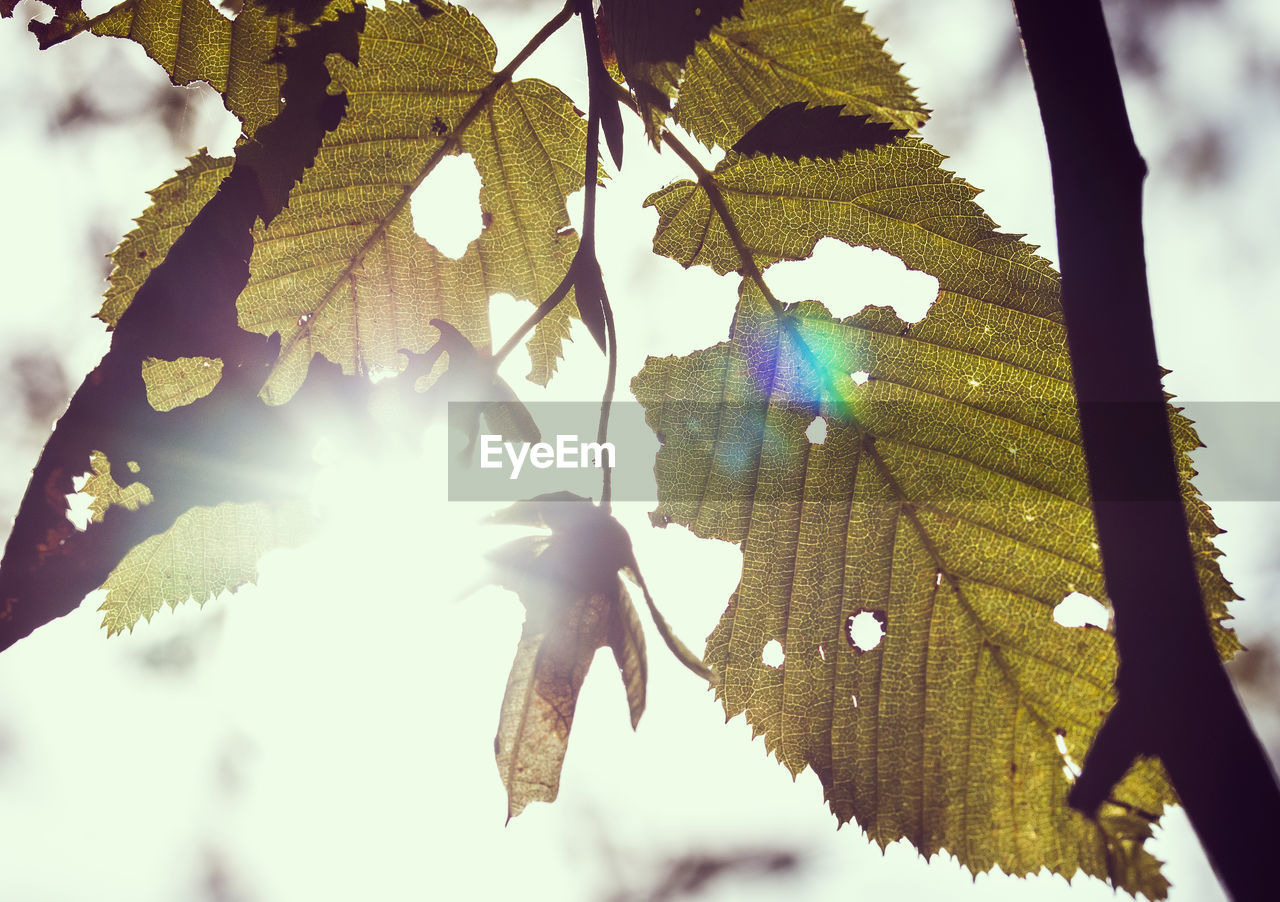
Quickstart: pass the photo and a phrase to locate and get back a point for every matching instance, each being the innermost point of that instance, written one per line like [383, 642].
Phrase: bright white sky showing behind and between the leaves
[335, 736]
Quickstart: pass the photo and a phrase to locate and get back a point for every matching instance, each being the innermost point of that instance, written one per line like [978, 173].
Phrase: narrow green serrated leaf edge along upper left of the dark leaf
[173, 205]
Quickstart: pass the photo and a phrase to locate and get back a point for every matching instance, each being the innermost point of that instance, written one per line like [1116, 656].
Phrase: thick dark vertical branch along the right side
[1174, 698]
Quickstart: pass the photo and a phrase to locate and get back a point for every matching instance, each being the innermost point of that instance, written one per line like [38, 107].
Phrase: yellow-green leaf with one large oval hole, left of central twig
[341, 272]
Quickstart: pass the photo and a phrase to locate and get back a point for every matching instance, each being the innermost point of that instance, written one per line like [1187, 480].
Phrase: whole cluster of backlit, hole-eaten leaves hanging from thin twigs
[949, 498]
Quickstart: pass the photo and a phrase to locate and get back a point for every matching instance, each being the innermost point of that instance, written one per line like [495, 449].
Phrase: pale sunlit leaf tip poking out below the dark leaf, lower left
[207, 552]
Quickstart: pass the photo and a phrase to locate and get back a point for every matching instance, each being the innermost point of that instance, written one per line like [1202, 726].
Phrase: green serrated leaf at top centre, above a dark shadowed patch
[783, 52]
